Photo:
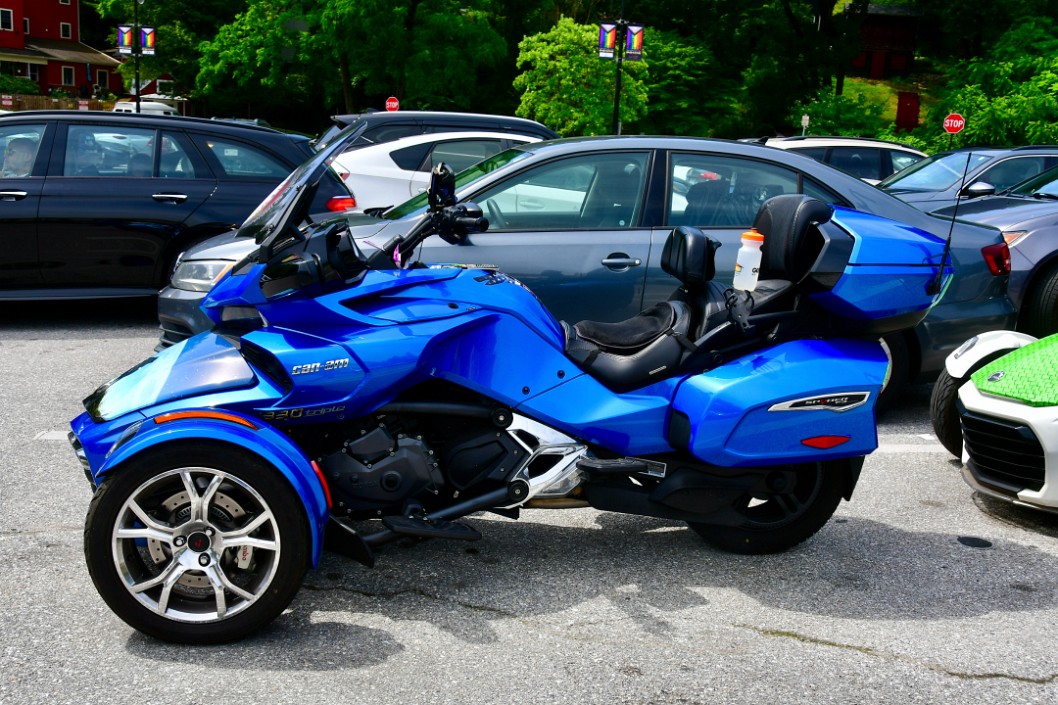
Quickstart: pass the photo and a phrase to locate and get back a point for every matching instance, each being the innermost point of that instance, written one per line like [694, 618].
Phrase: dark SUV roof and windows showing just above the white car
[367, 129]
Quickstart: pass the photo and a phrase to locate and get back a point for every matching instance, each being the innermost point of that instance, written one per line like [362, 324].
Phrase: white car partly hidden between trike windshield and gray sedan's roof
[389, 174]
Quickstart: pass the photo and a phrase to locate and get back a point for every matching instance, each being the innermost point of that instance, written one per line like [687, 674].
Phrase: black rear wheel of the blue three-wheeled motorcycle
[776, 522]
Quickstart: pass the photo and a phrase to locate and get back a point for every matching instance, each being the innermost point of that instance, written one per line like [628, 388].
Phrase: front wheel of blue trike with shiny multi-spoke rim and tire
[197, 543]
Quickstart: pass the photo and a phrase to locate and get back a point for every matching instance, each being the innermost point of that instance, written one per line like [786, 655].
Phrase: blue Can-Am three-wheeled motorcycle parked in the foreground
[346, 391]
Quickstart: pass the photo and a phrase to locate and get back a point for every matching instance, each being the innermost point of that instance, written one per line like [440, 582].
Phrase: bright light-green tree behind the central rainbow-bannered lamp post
[566, 85]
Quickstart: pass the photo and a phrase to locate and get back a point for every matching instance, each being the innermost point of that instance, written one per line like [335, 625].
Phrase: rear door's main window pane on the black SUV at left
[108, 151]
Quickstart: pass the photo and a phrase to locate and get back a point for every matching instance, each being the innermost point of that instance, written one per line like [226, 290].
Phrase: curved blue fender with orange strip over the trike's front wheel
[250, 435]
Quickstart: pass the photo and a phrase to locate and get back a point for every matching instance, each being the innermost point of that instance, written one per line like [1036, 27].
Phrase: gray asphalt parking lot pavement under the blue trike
[917, 592]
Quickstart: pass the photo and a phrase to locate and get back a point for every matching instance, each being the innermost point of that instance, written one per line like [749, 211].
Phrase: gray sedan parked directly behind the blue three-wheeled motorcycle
[582, 223]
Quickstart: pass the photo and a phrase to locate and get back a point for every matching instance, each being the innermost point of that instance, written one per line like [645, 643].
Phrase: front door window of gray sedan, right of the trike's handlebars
[592, 192]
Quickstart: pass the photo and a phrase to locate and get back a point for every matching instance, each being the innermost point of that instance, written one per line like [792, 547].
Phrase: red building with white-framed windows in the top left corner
[41, 41]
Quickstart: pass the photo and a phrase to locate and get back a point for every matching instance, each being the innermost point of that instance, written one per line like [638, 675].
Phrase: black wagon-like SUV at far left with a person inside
[103, 203]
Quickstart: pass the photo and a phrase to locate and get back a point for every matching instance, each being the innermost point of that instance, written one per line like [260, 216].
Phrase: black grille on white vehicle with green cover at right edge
[1005, 455]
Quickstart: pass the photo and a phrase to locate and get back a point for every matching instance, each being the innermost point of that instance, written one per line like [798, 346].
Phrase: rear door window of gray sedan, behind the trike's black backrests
[716, 191]
